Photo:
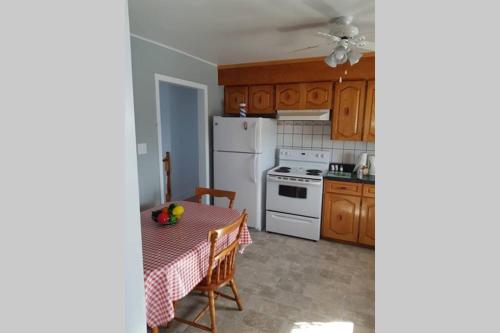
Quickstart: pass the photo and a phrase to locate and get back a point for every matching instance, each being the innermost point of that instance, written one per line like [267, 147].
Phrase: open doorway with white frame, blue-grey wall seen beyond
[182, 123]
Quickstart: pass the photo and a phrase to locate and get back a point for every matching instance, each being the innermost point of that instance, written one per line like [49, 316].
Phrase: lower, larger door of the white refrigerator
[239, 172]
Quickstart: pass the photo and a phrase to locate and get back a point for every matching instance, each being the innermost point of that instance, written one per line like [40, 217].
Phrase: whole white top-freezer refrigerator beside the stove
[244, 150]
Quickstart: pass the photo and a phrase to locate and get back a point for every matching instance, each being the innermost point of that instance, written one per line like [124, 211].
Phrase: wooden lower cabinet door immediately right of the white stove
[340, 217]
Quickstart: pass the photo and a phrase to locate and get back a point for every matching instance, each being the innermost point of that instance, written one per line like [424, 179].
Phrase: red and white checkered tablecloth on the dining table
[176, 257]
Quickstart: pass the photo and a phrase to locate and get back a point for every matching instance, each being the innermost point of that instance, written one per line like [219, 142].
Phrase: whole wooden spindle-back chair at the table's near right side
[221, 267]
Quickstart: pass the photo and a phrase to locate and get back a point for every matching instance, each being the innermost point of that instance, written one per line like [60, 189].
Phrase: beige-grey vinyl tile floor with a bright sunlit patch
[291, 285]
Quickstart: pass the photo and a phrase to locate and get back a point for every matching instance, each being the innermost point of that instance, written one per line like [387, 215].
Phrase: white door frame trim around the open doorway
[203, 137]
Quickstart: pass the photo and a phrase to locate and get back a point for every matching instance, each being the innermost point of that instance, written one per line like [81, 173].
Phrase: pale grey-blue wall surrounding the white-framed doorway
[147, 59]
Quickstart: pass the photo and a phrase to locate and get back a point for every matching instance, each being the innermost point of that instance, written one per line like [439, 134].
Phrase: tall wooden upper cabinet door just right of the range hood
[348, 110]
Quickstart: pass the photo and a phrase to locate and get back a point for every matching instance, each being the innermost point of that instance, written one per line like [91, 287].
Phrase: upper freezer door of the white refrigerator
[238, 134]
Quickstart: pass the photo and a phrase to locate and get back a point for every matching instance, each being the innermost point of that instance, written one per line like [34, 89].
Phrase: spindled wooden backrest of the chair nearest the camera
[221, 264]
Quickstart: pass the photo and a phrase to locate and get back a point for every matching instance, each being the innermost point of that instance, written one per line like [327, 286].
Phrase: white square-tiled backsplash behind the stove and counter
[316, 135]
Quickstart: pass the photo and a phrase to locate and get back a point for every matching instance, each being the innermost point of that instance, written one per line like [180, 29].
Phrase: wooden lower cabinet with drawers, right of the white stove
[349, 215]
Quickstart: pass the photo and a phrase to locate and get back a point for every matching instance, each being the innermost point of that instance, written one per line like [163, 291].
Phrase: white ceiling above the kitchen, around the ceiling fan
[239, 31]
